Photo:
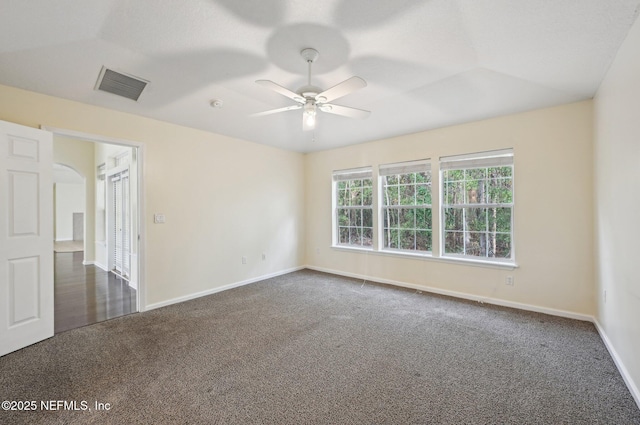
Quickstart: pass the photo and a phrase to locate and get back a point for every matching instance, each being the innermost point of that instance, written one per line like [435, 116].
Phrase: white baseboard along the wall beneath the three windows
[463, 295]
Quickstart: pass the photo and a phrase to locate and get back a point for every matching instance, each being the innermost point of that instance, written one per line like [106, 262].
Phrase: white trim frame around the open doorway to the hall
[141, 300]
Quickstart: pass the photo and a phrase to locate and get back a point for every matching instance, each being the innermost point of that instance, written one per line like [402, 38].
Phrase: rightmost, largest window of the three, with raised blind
[477, 206]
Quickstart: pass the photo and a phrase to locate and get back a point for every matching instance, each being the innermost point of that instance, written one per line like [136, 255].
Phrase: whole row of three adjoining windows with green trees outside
[474, 194]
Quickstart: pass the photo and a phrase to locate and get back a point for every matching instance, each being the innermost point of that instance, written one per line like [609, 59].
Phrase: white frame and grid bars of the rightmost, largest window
[486, 160]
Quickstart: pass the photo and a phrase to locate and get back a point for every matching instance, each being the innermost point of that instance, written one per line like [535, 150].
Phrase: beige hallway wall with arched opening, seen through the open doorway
[79, 156]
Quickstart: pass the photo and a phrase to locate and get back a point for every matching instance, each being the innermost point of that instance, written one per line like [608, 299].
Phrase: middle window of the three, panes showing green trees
[406, 206]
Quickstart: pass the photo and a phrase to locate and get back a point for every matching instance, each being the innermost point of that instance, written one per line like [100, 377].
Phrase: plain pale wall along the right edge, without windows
[617, 206]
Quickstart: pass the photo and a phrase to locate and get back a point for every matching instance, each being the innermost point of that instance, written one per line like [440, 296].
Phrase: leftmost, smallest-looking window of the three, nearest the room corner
[353, 219]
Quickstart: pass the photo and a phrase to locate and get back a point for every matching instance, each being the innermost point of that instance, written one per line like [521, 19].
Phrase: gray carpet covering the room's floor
[313, 348]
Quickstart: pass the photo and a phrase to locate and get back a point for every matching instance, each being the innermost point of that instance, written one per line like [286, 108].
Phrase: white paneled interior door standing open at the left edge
[26, 236]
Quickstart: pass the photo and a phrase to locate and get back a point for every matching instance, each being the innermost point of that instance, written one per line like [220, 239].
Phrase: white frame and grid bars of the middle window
[401, 169]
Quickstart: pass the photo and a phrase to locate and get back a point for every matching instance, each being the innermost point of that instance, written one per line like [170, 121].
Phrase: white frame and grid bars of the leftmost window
[362, 173]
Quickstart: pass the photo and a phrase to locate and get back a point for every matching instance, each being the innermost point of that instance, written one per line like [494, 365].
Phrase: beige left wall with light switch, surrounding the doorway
[223, 198]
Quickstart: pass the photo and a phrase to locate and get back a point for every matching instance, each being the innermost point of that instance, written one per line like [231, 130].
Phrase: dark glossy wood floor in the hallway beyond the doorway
[87, 294]
